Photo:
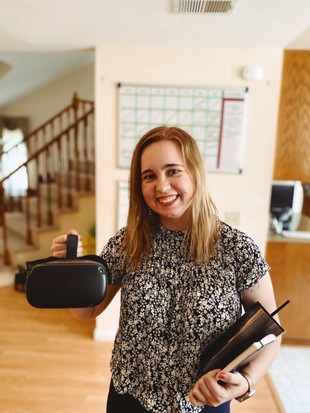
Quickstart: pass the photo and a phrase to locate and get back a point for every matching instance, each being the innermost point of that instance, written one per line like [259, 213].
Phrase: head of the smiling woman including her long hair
[193, 206]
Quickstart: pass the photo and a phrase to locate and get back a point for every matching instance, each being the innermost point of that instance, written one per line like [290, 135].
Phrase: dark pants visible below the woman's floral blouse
[121, 403]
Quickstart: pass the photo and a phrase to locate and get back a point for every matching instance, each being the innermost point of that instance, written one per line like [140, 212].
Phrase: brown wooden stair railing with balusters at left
[69, 146]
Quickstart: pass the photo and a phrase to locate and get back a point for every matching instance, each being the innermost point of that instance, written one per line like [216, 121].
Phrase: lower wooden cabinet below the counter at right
[290, 273]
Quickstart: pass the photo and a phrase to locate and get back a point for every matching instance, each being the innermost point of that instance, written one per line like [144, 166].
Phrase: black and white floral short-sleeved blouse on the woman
[171, 308]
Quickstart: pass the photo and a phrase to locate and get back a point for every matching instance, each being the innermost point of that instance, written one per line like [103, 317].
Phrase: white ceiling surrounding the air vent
[41, 41]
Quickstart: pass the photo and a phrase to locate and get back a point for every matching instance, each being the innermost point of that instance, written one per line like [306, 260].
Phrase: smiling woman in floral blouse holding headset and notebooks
[184, 276]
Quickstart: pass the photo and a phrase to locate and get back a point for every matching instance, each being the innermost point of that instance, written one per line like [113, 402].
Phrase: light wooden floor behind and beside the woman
[50, 364]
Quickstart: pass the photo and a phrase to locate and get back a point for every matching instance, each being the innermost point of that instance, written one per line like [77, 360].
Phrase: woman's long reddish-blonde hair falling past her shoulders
[202, 233]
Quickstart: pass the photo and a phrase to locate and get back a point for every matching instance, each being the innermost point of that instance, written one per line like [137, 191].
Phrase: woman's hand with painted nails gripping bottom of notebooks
[217, 387]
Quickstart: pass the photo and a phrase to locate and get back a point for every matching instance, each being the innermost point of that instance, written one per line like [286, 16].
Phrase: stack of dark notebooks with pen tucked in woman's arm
[238, 345]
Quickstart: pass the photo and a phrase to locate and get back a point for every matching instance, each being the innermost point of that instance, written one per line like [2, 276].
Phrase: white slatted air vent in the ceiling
[204, 6]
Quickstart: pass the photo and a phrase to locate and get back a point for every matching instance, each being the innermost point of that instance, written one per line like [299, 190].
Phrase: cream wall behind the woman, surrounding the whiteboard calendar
[246, 194]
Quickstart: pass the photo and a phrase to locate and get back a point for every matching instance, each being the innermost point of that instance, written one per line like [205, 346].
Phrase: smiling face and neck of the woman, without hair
[167, 186]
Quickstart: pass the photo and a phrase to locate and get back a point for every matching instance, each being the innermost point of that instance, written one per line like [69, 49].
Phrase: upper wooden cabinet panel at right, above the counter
[292, 160]
